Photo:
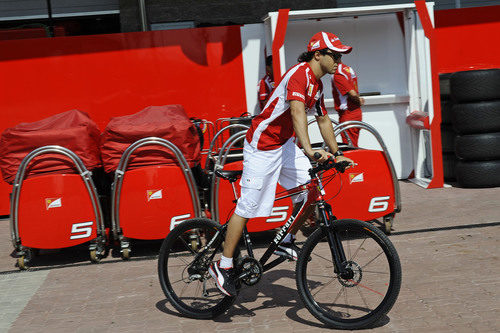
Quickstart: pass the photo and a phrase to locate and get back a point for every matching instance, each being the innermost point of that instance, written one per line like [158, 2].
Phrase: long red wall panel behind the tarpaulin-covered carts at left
[119, 74]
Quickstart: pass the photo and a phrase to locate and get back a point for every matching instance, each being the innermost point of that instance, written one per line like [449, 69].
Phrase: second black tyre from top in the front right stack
[475, 118]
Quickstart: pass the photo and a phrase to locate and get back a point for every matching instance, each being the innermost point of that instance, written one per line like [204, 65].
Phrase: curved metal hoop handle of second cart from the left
[122, 167]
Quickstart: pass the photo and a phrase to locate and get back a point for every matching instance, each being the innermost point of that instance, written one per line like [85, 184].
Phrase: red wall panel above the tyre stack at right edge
[468, 38]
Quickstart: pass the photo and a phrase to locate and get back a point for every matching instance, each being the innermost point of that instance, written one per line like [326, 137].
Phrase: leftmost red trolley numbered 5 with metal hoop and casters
[55, 211]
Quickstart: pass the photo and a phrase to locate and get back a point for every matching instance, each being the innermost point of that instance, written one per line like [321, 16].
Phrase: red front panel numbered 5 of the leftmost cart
[55, 211]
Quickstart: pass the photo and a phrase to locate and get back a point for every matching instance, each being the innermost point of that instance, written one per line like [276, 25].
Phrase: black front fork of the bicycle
[336, 249]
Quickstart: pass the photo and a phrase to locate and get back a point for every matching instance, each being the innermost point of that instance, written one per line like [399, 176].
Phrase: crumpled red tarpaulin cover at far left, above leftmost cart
[71, 129]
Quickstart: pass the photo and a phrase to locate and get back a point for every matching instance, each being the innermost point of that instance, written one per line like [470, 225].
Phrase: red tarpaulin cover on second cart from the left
[169, 122]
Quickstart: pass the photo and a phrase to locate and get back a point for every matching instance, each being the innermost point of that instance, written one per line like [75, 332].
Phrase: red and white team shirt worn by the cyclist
[274, 126]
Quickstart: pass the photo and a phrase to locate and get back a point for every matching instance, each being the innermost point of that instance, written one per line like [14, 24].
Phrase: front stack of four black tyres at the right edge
[475, 112]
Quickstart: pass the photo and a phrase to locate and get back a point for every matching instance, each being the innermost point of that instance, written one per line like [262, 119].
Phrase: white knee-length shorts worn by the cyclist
[262, 170]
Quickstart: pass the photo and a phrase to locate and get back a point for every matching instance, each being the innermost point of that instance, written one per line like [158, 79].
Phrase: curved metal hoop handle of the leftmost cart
[82, 170]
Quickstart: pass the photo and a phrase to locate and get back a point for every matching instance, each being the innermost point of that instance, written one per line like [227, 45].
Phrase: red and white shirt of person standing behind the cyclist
[343, 81]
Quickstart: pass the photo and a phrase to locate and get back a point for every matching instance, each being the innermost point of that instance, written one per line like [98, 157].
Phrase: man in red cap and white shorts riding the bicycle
[270, 152]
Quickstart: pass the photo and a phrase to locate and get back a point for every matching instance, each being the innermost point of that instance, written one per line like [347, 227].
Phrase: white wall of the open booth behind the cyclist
[378, 57]
